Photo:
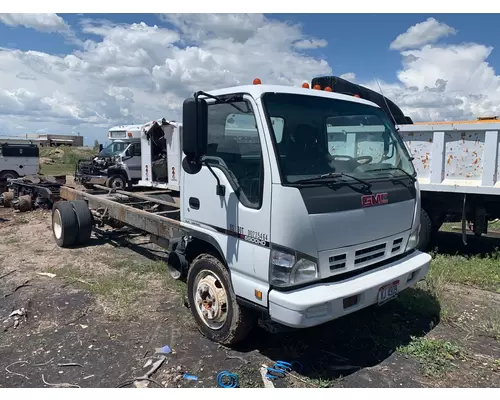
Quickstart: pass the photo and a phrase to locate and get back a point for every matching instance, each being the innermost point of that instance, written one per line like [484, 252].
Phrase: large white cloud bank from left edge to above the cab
[129, 73]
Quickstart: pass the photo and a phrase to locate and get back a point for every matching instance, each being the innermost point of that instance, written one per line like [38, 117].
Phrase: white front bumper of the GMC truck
[323, 302]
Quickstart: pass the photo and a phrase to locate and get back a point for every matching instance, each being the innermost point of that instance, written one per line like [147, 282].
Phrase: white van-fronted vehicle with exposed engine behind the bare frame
[118, 164]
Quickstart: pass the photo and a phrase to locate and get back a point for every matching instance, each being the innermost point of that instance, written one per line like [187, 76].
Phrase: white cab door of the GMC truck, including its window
[239, 219]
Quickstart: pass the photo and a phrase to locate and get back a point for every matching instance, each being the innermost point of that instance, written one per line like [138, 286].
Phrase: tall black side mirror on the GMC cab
[194, 133]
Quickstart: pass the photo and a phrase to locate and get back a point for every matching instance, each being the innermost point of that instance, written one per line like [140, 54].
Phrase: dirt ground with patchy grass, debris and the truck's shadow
[98, 321]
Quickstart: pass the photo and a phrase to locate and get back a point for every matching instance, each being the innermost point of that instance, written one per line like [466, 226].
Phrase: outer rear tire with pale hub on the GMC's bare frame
[64, 224]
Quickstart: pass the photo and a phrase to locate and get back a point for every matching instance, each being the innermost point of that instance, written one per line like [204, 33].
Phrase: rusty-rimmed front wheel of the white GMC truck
[213, 303]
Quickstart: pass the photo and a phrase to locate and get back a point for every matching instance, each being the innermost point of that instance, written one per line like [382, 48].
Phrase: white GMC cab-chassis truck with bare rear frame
[268, 225]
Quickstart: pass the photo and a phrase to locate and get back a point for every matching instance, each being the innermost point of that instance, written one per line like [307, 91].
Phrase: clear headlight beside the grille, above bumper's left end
[289, 269]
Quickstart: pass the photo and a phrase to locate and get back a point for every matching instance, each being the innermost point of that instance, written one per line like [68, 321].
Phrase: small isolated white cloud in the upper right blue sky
[422, 33]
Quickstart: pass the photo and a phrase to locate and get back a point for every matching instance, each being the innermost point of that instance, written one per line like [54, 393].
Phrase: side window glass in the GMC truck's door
[234, 147]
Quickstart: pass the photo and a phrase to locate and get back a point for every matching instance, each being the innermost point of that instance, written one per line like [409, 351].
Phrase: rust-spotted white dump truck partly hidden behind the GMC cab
[457, 164]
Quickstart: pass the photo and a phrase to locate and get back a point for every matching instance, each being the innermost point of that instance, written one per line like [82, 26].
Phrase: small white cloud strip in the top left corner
[41, 22]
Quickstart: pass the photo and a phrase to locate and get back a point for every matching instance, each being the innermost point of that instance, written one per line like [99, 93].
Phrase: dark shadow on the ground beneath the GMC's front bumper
[360, 340]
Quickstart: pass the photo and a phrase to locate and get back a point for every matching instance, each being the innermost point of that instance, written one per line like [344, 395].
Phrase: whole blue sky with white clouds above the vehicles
[143, 72]
